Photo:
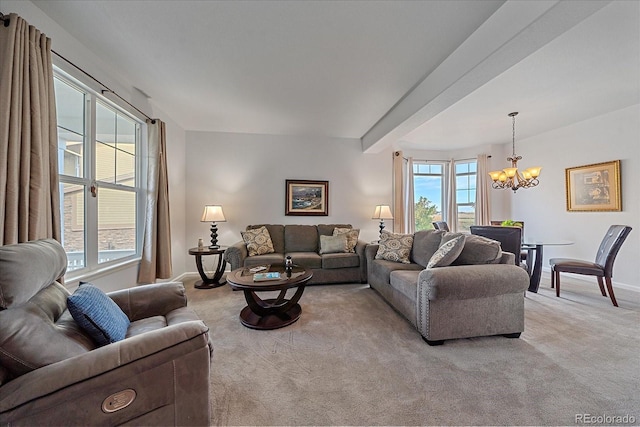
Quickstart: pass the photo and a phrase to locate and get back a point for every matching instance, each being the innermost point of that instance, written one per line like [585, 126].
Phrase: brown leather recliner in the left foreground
[52, 373]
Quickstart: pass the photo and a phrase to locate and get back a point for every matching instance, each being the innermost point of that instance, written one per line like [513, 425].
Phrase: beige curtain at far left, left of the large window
[29, 192]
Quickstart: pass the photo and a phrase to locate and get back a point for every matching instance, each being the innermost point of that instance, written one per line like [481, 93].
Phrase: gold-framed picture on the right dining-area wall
[594, 188]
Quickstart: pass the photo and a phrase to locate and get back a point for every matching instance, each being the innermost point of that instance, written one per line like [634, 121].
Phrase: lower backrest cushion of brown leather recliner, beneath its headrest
[40, 332]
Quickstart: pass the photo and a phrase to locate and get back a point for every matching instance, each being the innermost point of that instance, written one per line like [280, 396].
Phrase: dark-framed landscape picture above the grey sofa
[307, 198]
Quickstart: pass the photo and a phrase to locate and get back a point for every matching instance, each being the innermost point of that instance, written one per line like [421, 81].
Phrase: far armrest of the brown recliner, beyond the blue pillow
[156, 299]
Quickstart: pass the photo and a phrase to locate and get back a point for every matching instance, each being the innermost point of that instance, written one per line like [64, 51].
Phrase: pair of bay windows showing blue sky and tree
[430, 180]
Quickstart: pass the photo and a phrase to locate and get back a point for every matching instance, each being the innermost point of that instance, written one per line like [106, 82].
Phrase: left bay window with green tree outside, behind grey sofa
[429, 191]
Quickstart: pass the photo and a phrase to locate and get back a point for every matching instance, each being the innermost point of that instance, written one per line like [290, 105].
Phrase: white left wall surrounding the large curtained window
[72, 49]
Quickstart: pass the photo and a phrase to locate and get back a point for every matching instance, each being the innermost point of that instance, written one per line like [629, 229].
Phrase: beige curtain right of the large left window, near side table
[156, 250]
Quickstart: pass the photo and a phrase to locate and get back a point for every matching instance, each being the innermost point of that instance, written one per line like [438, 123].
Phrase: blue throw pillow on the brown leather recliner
[98, 315]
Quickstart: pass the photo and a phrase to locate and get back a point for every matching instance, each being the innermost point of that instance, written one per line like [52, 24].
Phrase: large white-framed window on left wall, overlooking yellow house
[100, 173]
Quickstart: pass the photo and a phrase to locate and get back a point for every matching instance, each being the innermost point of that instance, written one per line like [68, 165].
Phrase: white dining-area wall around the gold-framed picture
[613, 136]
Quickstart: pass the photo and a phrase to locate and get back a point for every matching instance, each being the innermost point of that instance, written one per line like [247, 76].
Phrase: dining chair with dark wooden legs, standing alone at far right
[601, 268]
